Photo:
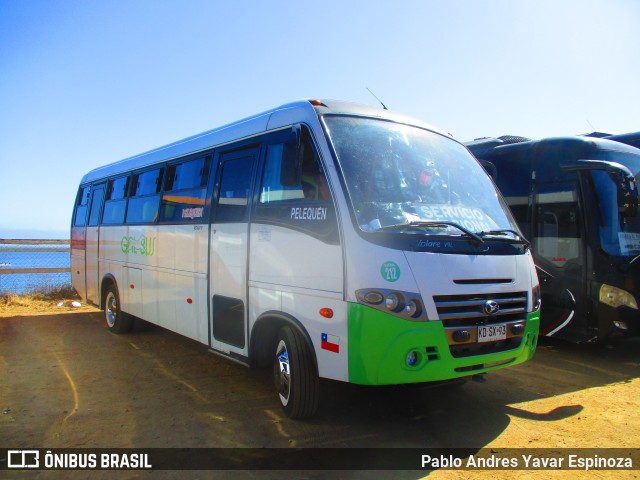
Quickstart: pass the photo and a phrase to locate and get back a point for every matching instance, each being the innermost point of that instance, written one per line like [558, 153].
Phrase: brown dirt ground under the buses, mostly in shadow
[67, 382]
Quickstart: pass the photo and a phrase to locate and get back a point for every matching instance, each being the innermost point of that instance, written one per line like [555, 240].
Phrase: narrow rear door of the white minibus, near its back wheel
[92, 245]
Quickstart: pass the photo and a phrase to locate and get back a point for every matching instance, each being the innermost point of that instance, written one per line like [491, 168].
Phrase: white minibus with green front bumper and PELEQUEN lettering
[327, 239]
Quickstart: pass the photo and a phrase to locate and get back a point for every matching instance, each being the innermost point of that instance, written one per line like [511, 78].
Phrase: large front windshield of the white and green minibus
[399, 177]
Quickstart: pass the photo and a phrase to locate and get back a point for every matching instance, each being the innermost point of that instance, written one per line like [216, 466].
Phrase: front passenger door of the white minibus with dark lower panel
[229, 250]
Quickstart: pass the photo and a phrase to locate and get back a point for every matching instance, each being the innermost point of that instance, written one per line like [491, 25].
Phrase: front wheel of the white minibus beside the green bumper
[294, 374]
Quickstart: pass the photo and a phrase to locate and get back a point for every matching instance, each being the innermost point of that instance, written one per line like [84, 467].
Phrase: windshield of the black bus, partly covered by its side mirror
[619, 235]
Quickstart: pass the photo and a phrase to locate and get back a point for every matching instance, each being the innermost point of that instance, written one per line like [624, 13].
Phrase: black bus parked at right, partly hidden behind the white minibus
[576, 199]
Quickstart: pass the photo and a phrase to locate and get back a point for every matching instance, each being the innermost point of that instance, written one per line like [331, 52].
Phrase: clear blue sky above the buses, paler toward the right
[84, 83]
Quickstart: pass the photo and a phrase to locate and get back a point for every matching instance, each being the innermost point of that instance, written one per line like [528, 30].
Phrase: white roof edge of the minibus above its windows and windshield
[302, 111]
